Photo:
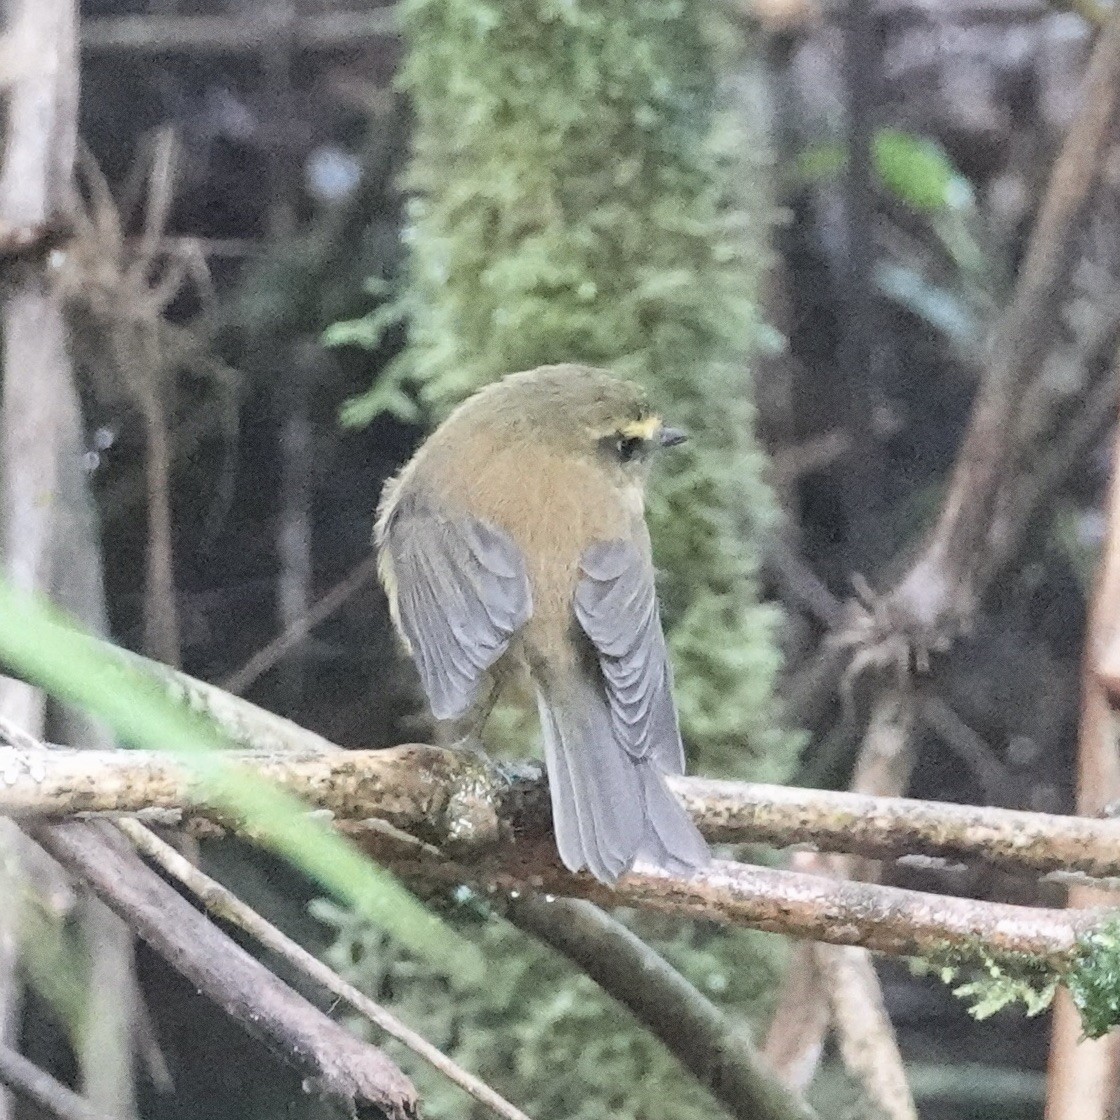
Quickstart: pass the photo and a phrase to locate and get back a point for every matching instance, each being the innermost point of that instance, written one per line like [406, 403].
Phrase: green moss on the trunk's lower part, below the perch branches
[546, 1035]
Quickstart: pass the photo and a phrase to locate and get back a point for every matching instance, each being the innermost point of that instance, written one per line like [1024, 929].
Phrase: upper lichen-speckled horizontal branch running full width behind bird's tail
[461, 800]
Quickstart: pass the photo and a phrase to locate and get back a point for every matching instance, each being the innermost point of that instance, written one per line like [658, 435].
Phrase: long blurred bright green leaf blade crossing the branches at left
[44, 648]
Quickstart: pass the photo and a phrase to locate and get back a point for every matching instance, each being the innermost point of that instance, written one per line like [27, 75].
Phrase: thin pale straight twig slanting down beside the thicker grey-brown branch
[227, 907]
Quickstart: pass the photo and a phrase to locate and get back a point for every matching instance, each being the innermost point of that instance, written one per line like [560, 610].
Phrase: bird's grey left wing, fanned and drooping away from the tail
[462, 592]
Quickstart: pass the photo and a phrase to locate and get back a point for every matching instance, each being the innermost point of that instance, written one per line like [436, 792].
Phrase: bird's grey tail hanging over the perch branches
[609, 808]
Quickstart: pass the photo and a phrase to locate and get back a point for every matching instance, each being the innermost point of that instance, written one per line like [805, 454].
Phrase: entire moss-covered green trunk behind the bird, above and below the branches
[580, 195]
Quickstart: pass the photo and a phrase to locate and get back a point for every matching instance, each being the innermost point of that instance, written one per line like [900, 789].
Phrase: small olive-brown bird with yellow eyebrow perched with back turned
[516, 539]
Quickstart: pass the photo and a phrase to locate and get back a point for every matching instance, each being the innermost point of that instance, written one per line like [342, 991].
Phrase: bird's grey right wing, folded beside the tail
[617, 605]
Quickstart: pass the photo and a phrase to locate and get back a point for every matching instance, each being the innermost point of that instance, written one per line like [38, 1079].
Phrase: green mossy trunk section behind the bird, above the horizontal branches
[578, 193]
